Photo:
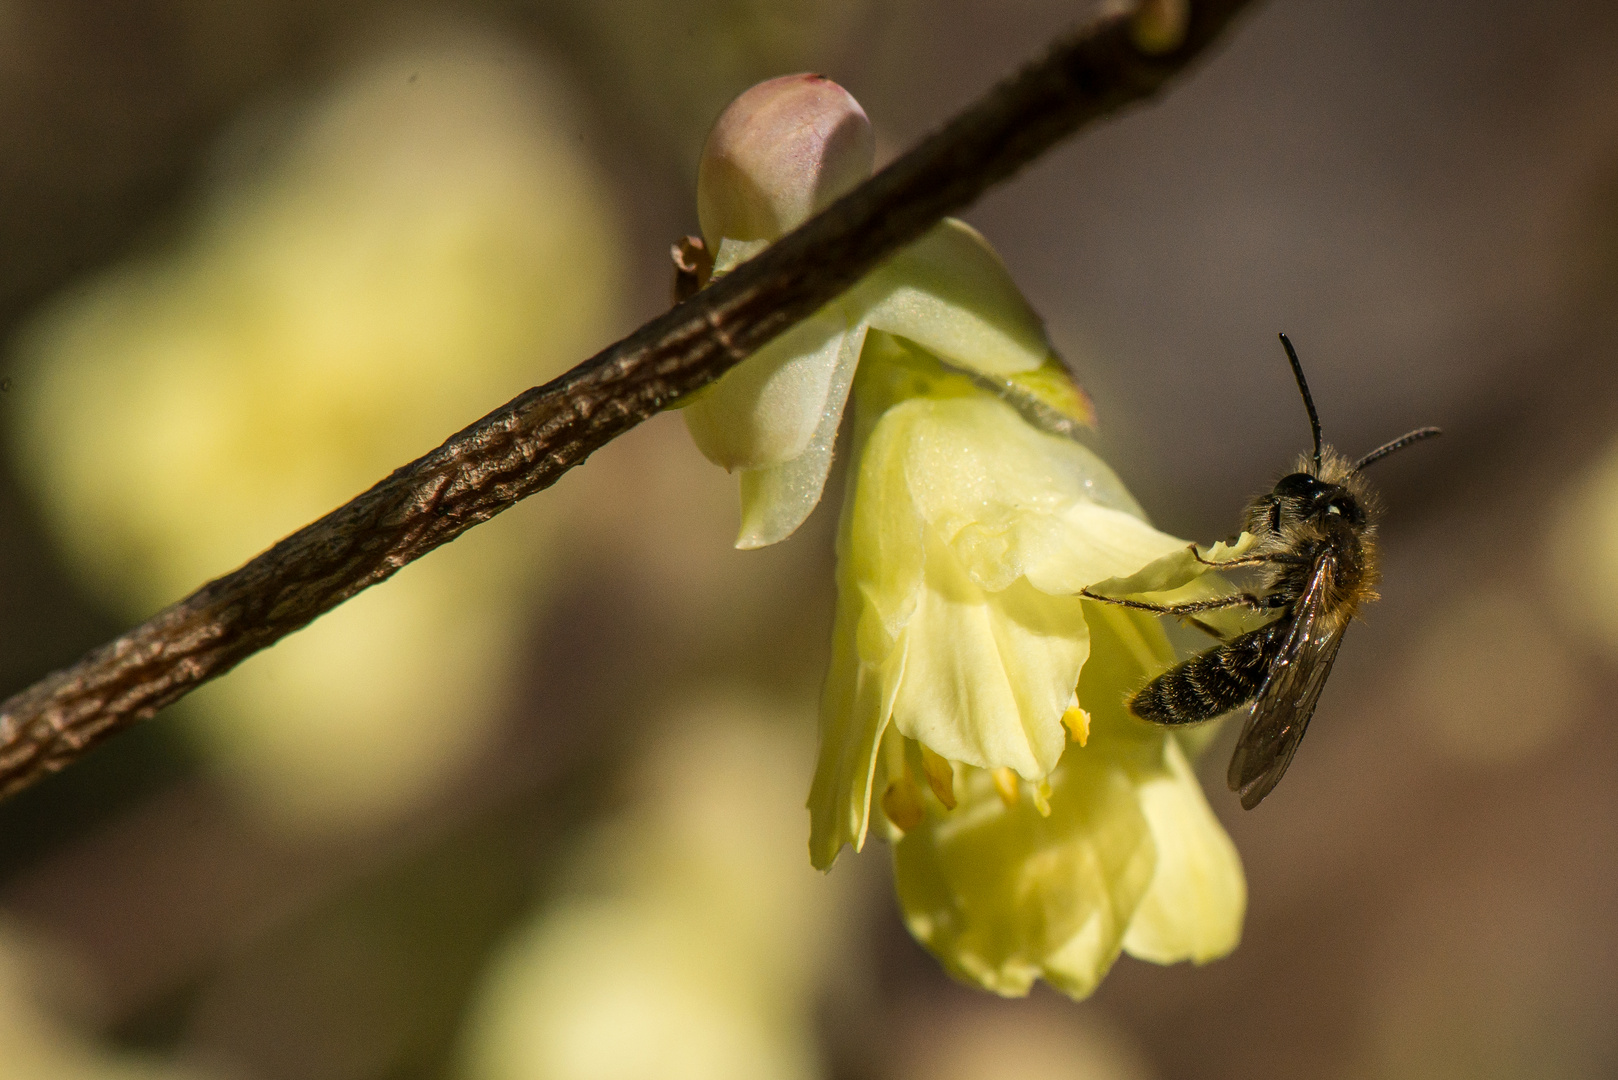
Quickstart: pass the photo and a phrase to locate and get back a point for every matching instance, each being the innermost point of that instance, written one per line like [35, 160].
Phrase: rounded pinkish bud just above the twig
[781, 153]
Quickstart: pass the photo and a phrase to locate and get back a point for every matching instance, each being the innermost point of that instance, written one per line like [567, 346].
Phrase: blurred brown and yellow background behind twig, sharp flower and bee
[535, 809]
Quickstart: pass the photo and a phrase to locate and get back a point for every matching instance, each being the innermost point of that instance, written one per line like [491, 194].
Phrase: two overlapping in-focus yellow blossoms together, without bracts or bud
[976, 705]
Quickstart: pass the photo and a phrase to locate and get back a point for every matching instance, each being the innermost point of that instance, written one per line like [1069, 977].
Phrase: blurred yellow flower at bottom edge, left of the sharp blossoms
[698, 942]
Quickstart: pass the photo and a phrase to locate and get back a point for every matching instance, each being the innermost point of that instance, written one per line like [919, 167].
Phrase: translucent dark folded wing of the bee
[1281, 715]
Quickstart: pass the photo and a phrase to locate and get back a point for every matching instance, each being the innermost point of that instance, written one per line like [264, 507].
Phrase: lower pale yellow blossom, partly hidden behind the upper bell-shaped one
[1120, 854]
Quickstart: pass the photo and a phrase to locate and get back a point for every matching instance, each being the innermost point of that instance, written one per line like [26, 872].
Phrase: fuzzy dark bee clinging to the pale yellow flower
[1318, 561]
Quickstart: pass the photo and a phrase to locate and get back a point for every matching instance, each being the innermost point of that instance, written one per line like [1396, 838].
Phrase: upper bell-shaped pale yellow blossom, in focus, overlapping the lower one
[965, 540]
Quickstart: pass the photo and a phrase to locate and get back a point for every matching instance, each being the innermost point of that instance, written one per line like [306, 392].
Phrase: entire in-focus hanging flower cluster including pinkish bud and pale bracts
[975, 704]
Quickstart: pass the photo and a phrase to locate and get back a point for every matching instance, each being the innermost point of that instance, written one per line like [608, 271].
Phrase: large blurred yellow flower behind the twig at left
[420, 245]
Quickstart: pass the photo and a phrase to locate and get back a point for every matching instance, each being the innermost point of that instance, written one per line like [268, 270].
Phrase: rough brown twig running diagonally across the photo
[530, 443]
